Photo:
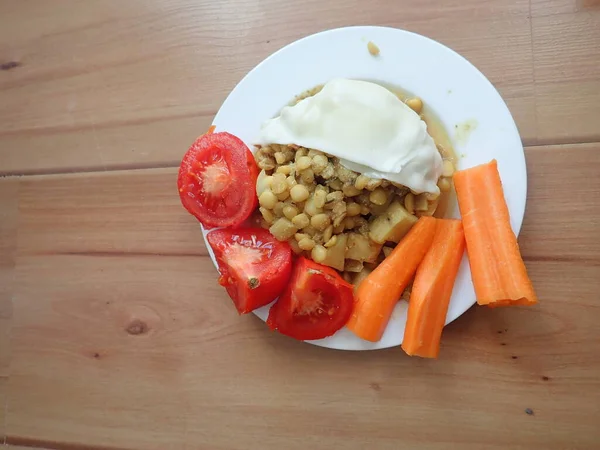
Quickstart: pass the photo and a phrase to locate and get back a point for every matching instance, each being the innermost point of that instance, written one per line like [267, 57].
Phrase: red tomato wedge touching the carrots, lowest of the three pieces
[316, 303]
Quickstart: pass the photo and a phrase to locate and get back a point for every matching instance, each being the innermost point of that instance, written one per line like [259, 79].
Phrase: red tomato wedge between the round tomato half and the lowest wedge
[255, 267]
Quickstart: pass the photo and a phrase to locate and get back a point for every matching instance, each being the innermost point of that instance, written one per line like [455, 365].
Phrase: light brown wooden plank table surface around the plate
[114, 333]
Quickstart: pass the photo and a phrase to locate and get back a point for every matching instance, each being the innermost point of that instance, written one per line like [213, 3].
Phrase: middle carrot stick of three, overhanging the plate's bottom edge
[432, 289]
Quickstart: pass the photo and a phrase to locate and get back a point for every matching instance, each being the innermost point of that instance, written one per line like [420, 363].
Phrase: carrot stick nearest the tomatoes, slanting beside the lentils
[377, 295]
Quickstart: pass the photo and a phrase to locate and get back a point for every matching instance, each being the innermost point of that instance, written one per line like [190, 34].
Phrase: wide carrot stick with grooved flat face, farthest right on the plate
[499, 274]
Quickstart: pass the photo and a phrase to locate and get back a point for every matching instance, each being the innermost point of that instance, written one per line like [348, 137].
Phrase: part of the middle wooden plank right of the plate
[562, 219]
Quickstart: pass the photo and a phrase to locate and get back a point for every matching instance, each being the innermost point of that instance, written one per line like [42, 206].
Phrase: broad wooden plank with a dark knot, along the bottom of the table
[200, 368]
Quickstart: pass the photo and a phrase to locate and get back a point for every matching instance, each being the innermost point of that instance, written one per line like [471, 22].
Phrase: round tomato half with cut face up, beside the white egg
[217, 180]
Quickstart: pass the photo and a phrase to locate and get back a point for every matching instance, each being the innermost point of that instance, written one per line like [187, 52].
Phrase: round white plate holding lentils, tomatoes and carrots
[457, 92]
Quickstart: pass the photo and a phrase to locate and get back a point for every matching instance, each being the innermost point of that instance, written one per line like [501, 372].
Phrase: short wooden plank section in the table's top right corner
[566, 54]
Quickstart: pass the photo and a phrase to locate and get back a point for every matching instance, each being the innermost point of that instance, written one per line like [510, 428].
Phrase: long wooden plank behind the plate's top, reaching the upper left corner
[131, 84]
